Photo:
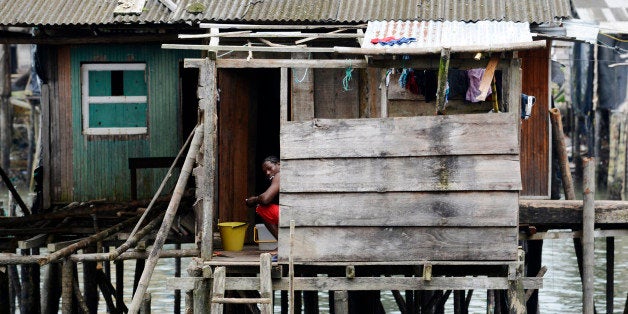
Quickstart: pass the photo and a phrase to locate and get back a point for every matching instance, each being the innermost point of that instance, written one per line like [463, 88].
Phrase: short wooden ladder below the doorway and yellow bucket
[265, 289]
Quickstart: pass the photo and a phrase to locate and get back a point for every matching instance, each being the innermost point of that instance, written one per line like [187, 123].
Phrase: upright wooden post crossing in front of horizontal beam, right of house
[588, 247]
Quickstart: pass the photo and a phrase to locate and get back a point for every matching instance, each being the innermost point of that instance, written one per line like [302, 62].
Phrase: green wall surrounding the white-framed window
[100, 165]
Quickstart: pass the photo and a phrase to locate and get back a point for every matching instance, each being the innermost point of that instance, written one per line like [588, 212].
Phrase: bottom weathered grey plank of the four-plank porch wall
[399, 243]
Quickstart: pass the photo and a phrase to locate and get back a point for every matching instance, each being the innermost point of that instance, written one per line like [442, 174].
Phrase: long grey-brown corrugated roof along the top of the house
[100, 12]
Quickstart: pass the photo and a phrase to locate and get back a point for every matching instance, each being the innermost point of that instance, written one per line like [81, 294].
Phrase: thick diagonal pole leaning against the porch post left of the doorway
[167, 222]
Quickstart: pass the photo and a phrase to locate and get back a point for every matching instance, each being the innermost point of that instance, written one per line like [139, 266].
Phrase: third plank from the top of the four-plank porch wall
[468, 209]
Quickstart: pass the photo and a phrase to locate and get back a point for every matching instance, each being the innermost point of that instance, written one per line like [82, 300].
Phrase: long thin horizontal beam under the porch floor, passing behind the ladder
[368, 283]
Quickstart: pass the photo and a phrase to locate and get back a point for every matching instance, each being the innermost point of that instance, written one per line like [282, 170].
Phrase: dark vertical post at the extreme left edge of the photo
[6, 110]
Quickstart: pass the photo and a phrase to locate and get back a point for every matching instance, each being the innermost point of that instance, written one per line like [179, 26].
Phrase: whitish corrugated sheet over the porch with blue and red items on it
[436, 34]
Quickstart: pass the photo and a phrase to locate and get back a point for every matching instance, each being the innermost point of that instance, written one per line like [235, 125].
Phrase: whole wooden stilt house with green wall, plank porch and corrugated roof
[404, 149]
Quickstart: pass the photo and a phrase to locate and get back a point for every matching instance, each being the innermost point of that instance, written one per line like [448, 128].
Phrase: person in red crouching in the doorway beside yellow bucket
[267, 203]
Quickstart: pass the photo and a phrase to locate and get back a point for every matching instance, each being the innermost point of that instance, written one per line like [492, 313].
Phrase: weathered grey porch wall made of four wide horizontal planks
[400, 189]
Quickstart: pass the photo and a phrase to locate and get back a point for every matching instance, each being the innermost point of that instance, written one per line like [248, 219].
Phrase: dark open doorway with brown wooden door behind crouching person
[248, 131]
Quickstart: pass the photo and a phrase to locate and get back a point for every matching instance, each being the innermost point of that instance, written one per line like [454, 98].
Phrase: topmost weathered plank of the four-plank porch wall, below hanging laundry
[394, 137]
